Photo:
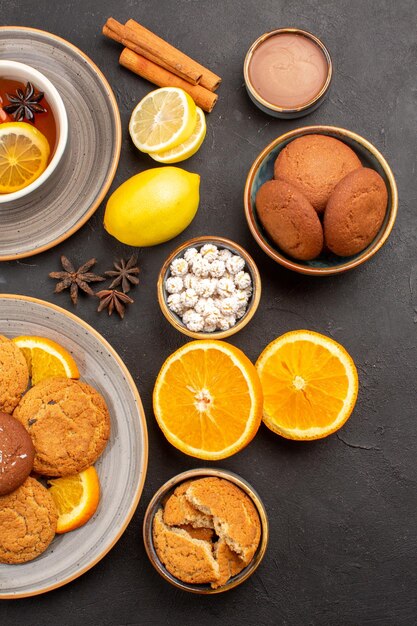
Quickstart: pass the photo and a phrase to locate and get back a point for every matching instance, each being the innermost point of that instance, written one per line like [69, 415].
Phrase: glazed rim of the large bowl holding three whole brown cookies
[279, 257]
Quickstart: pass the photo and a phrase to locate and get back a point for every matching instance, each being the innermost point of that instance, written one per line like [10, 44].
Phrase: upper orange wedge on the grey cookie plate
[46, 358]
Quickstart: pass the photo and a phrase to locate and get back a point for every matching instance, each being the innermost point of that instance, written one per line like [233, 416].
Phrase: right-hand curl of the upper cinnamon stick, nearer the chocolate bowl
[208, 79]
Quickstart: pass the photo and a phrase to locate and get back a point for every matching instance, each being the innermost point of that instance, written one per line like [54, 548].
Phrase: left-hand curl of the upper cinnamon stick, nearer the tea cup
[155, 49]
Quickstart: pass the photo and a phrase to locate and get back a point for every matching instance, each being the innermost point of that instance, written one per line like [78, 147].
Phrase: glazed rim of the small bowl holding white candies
[256, 285]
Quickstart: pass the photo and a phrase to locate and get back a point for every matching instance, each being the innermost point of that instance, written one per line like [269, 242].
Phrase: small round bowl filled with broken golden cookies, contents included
[206, 531]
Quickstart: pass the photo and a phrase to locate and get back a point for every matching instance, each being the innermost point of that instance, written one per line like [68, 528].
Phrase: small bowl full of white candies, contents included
[209, 286]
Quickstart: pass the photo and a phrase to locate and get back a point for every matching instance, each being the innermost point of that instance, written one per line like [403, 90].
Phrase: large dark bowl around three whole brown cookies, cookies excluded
[263, 170]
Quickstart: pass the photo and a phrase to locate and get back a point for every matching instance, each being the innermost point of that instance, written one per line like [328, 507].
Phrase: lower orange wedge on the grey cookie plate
[76, 498]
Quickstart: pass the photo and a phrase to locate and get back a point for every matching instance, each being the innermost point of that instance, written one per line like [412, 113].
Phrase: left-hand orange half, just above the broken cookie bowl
[208, 399]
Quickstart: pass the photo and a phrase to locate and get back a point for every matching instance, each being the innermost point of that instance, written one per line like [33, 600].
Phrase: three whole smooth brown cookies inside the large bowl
[321, 198]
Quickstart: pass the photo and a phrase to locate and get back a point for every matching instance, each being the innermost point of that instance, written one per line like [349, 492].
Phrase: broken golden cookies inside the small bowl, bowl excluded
[207, 531]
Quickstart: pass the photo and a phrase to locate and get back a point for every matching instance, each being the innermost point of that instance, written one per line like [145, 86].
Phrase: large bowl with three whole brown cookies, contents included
[320, 200]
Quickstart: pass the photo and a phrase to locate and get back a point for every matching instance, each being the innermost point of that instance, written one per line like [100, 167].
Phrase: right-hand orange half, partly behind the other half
[310, 385]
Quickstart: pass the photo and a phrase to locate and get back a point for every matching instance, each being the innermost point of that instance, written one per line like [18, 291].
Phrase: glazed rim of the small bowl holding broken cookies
[202, 473]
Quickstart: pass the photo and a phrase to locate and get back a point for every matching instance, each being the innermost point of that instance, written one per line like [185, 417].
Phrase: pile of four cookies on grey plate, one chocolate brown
[58, 428]
